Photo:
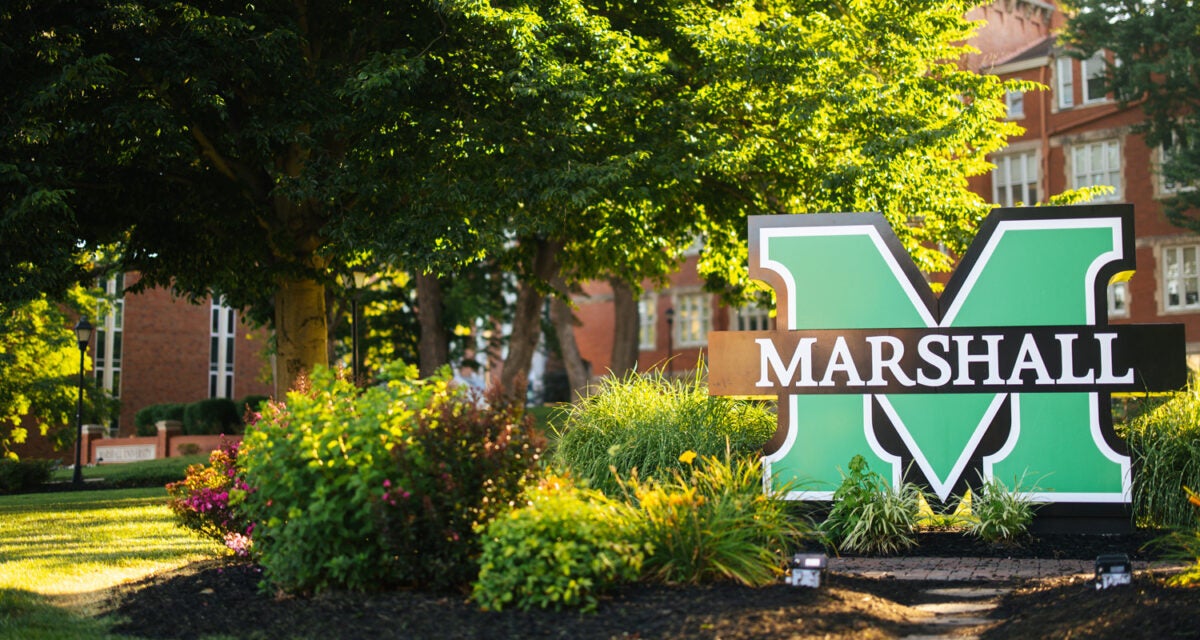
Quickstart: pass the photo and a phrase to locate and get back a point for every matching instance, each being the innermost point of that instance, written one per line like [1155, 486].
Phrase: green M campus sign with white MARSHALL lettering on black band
[1006, 375]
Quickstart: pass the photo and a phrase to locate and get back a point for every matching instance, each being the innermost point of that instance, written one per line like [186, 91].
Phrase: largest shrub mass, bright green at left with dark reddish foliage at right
[347, 477]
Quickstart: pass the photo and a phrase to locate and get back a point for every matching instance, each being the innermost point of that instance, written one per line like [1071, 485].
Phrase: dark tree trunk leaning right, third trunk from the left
[527, 319]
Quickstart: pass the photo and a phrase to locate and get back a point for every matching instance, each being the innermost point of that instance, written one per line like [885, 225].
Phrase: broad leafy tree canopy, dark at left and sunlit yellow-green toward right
[254, 151]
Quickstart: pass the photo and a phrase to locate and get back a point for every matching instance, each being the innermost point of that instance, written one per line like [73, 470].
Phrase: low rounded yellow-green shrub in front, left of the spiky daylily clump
[562, 548]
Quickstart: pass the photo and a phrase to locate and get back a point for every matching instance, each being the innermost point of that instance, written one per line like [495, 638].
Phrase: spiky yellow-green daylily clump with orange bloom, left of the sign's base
[713, 522]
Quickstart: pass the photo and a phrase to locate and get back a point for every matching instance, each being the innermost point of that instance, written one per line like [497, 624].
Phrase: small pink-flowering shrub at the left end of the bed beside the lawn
[207, 500]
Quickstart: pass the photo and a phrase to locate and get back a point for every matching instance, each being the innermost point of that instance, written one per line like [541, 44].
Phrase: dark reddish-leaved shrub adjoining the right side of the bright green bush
[460, 465]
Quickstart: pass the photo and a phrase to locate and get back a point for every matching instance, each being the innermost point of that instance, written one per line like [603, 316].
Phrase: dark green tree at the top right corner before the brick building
[1157, 46]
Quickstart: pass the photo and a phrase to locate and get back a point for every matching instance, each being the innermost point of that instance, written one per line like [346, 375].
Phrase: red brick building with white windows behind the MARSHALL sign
[1075, 137]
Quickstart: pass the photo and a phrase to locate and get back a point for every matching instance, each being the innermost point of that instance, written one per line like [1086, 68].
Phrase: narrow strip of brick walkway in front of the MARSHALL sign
[927, 569]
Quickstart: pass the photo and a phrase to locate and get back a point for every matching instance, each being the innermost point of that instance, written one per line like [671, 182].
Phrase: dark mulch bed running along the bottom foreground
[224, 599]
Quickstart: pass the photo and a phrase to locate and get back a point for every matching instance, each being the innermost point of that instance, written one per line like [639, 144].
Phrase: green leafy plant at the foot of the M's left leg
[872, 517]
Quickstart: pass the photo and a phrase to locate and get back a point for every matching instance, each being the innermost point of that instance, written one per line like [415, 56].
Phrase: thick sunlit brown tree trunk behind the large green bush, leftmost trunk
[301, 336]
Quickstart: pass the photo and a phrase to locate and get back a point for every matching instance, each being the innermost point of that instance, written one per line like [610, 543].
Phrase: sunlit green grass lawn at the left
[61, 553]
